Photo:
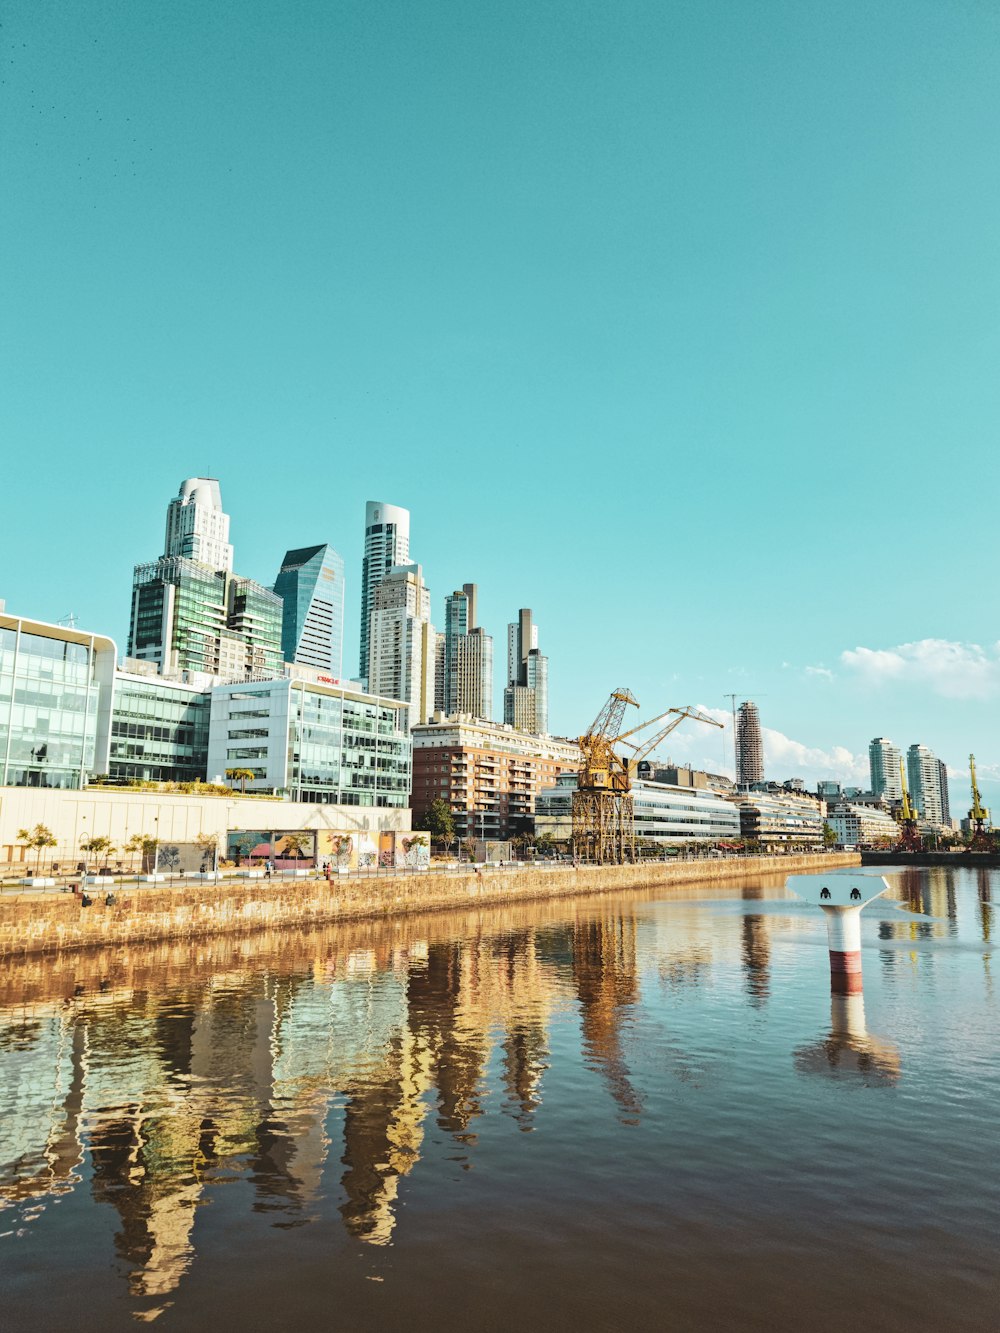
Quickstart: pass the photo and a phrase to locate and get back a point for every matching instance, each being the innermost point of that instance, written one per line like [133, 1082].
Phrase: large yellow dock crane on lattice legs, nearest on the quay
[605, 824]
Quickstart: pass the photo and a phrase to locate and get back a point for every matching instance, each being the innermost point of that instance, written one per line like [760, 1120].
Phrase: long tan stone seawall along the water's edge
[31, 924]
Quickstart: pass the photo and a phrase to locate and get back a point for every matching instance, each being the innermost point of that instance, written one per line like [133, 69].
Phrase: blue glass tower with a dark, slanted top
[311, 587]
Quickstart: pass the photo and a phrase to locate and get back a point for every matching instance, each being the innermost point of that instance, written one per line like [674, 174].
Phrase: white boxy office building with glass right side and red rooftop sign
[313, 742]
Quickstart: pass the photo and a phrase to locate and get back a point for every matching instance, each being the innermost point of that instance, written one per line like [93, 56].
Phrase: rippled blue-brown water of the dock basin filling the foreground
[610, 1114]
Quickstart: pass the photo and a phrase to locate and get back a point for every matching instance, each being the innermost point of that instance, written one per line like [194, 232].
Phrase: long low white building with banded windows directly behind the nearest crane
[663, 812]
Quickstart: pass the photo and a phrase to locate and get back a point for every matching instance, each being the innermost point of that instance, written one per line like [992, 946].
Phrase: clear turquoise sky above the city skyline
[674, 322]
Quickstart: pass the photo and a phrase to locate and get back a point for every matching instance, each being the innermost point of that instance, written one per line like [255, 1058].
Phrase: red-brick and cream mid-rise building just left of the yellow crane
[489, 774]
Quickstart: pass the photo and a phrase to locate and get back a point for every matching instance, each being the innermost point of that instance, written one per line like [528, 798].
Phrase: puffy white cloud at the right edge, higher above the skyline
[949, 668]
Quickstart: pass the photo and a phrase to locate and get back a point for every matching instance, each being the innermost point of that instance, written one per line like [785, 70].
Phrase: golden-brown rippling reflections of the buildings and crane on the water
[313, 1083]
